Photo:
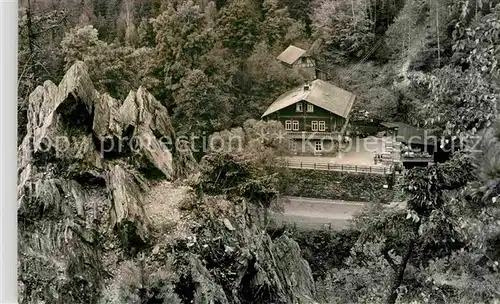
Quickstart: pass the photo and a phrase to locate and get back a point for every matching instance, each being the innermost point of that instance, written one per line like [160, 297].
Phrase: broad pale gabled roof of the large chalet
[321, 94]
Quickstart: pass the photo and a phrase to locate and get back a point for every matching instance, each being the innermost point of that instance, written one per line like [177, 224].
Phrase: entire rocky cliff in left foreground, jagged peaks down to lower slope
[103, 217]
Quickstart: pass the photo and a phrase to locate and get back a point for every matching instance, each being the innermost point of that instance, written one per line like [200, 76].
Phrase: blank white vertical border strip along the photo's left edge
[8, 155]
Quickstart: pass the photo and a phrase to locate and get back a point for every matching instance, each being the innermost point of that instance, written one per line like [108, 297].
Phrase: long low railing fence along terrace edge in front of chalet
[338, 167]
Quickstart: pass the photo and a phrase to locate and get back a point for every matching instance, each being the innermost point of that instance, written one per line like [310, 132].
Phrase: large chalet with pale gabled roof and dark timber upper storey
[315, 116]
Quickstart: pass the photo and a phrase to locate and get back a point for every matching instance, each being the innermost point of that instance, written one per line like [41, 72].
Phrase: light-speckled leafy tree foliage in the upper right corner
[463, 98]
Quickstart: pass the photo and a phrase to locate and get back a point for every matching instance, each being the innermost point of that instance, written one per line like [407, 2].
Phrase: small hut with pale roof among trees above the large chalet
[296, 58]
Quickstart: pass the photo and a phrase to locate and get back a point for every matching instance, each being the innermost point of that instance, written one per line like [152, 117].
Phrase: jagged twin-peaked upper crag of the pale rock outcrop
[64, 120]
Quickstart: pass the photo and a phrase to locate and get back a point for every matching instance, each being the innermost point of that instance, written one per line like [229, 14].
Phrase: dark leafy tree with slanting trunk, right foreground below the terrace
[394, 241]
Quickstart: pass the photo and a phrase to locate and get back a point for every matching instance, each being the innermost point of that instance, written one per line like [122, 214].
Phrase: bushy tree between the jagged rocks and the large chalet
[241, 163]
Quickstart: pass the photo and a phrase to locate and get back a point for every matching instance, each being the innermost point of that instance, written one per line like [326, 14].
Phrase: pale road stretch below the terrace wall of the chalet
[316, 213]
